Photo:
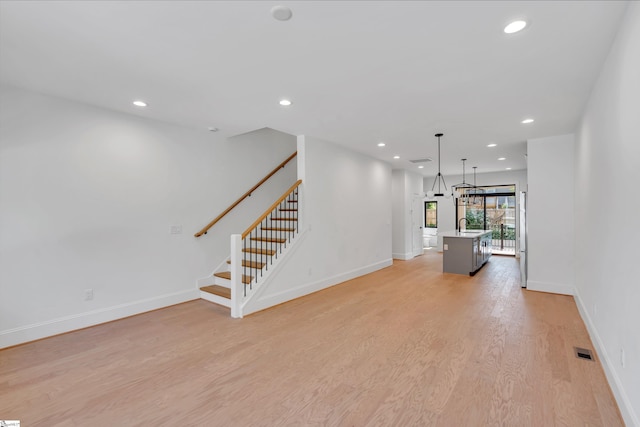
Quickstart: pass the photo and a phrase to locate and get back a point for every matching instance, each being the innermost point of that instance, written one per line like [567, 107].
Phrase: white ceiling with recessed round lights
[357, 72]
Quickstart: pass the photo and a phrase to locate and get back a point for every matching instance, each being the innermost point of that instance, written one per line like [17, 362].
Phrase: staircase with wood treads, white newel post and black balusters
[256, 250]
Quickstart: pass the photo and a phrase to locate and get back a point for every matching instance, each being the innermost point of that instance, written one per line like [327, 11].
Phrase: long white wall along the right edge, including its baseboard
[607, 165]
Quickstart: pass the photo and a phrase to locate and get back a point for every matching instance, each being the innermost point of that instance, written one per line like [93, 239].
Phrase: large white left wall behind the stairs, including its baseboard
[87, 201]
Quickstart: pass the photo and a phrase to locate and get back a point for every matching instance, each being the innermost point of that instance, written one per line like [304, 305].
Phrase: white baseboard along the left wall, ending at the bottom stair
[36, 331]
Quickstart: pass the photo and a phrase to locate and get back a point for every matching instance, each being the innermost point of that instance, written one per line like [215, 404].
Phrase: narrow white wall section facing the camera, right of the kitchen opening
[550, 215]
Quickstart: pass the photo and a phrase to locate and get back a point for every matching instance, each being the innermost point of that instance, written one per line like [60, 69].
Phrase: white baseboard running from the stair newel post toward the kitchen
[270, 300]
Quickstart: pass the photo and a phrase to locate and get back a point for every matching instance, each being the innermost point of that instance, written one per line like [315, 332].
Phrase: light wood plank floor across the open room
[405, 346]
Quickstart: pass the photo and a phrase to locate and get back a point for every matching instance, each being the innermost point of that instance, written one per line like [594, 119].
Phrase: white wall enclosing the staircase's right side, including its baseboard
[345, 222]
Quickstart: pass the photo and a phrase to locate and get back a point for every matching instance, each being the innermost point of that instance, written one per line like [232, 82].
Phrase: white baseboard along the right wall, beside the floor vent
[626, 409]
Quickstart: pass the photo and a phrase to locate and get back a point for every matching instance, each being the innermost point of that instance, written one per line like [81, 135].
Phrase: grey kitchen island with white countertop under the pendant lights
[465, 252]
